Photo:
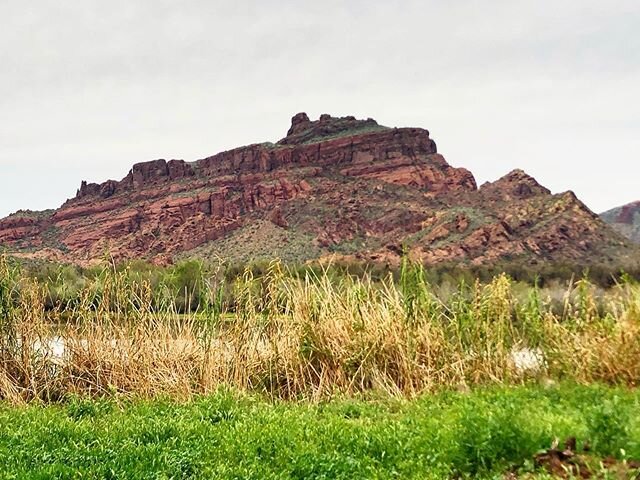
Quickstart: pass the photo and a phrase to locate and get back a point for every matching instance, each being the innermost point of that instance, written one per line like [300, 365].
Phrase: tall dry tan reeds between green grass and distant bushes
[311, 336]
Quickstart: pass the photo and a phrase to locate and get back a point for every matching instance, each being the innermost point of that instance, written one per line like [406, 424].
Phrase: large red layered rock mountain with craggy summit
[334, 186]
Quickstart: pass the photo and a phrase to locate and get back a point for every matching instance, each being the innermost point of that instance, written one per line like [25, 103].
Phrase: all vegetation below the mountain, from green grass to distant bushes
[270, 371]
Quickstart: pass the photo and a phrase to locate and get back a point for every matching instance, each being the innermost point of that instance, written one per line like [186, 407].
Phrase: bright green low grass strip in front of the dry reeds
[482, 434]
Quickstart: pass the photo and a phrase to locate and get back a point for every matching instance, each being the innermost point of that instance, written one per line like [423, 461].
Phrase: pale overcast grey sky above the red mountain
[88, 87]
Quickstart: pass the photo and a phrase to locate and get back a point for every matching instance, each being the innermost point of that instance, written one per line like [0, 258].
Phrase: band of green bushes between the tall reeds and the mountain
[190, 284]
